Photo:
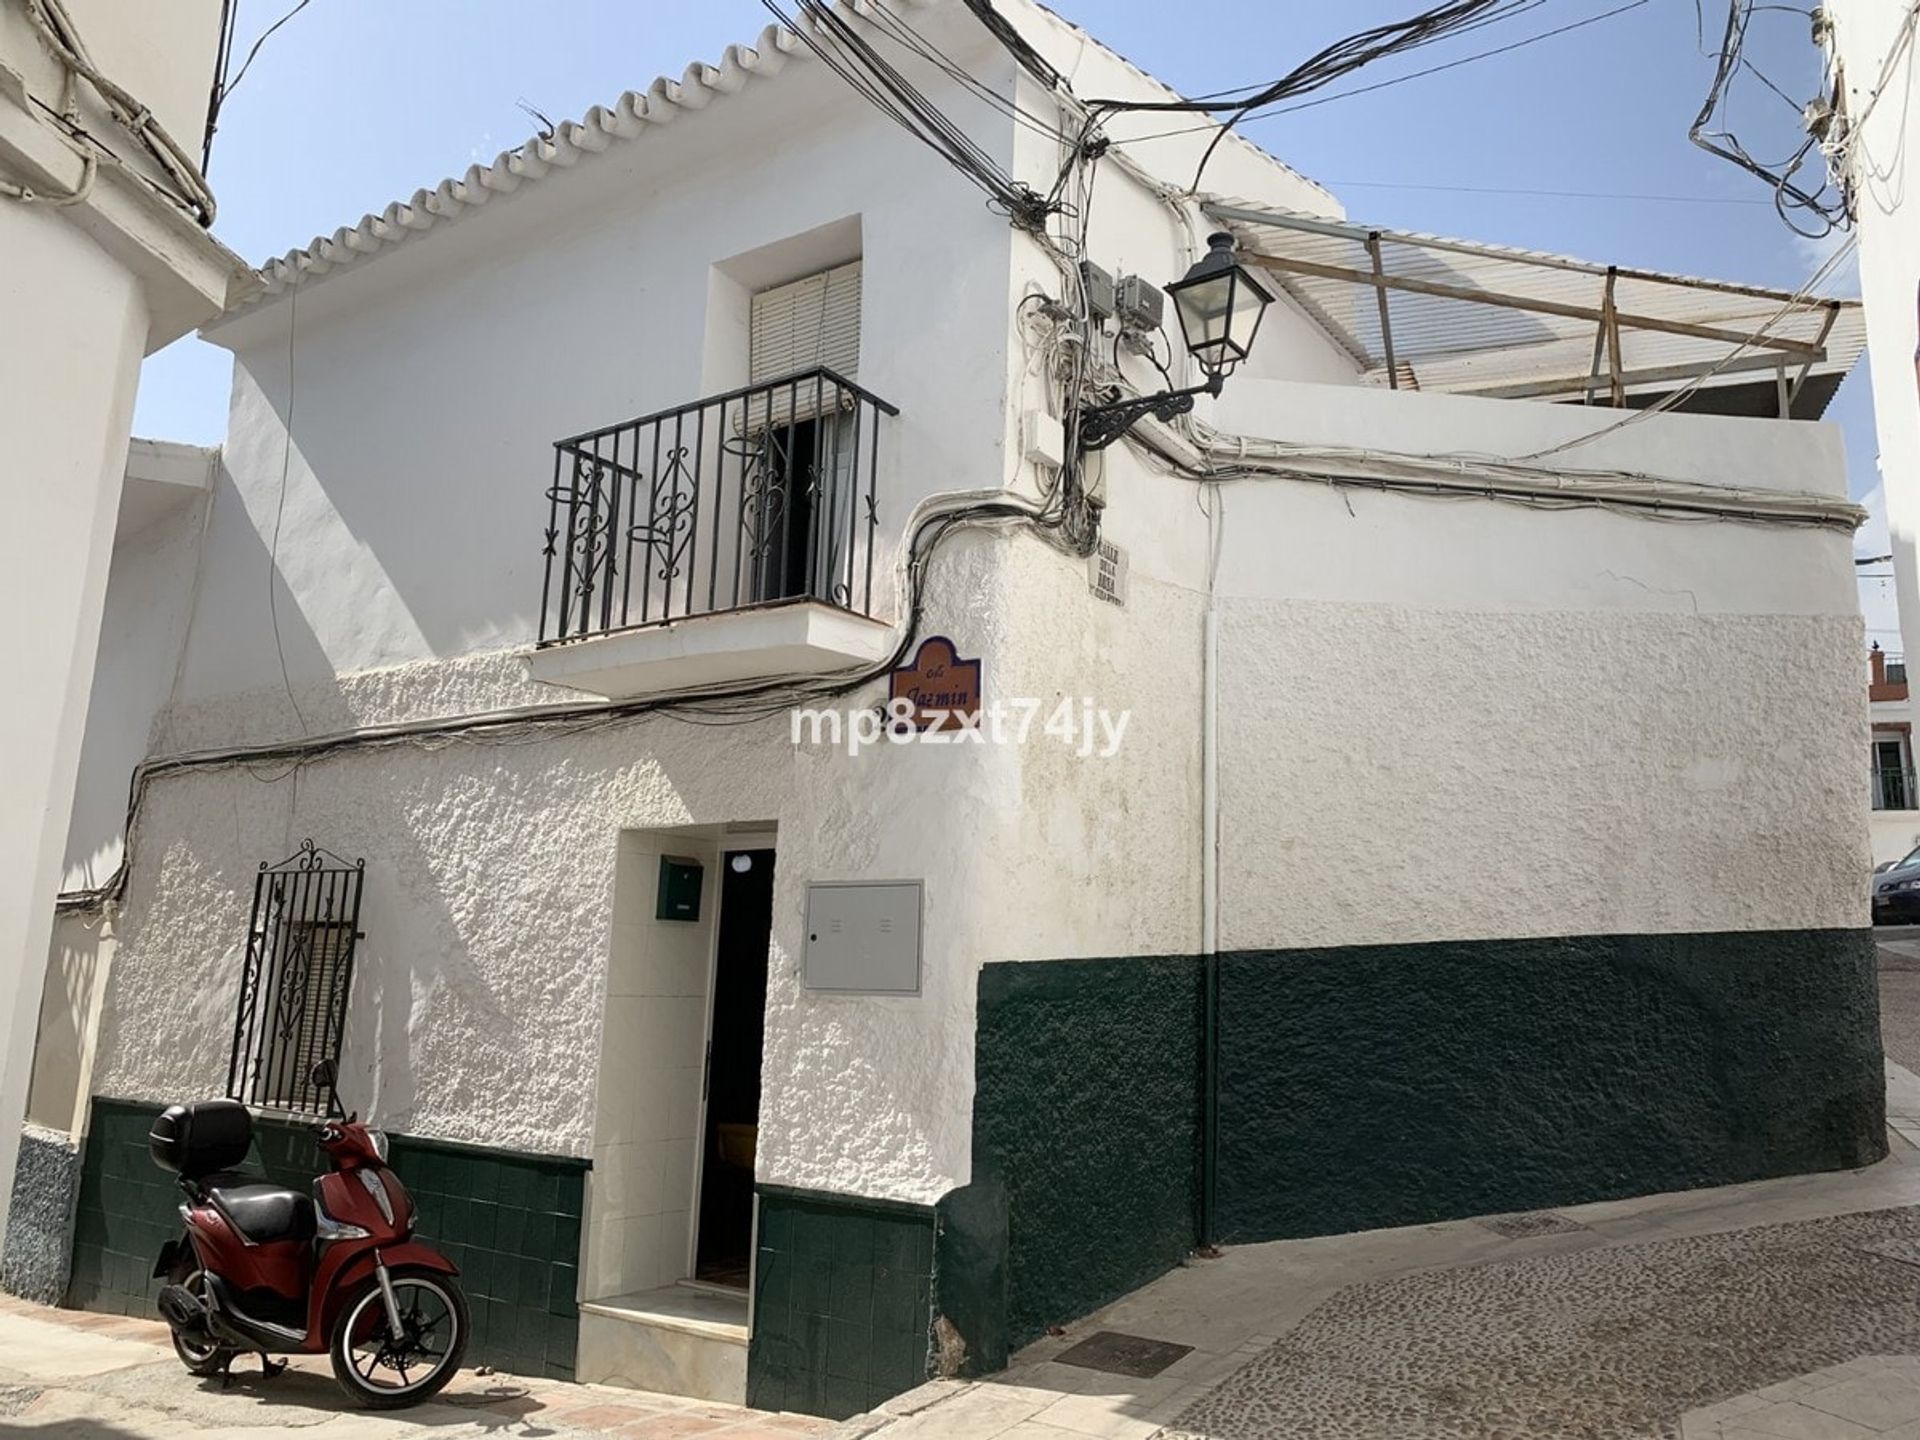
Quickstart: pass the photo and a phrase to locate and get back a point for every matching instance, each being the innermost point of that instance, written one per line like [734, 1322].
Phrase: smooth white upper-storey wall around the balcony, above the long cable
[429, 387]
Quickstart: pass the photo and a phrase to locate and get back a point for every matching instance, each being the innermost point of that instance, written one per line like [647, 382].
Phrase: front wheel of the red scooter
[387, 1372]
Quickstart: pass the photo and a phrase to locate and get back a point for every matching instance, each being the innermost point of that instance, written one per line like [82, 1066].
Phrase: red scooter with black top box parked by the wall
[276, 1272]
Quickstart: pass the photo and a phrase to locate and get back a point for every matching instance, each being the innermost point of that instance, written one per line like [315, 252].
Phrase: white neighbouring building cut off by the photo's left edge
[103, 210]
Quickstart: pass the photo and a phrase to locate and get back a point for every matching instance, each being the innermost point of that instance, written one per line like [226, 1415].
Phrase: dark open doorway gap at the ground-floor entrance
[734, 1068]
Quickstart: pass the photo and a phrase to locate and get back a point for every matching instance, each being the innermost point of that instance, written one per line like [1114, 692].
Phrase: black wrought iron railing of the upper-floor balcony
[759, 496]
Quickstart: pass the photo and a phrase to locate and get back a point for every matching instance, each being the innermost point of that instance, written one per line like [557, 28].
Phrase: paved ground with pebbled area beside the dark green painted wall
[1785, 1310]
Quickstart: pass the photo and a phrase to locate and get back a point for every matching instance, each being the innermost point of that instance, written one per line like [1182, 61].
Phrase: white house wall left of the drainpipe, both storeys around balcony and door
[427, 393]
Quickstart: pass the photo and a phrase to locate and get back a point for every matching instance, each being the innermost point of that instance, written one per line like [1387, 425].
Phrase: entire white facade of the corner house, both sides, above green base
[1356, 715]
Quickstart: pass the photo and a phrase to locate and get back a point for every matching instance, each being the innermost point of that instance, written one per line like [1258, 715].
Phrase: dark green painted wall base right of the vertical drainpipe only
[1403, 1084]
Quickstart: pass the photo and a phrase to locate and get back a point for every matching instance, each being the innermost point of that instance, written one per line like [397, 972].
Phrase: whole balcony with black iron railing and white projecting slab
[725, 540]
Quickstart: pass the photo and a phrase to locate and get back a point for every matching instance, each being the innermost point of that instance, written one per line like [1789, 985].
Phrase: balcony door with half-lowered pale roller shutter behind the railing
[800, 508]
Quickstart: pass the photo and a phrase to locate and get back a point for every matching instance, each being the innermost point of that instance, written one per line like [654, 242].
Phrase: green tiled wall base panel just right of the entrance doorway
[844, 1303]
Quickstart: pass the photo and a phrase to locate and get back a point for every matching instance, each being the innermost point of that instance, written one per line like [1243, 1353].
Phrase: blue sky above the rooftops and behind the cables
[358, 103]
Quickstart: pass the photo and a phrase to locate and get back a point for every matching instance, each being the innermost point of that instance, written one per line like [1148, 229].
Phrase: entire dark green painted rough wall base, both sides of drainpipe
[1387, 1086]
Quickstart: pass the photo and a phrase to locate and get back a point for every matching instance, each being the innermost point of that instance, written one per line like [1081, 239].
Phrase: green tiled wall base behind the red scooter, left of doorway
[512, 1222]
